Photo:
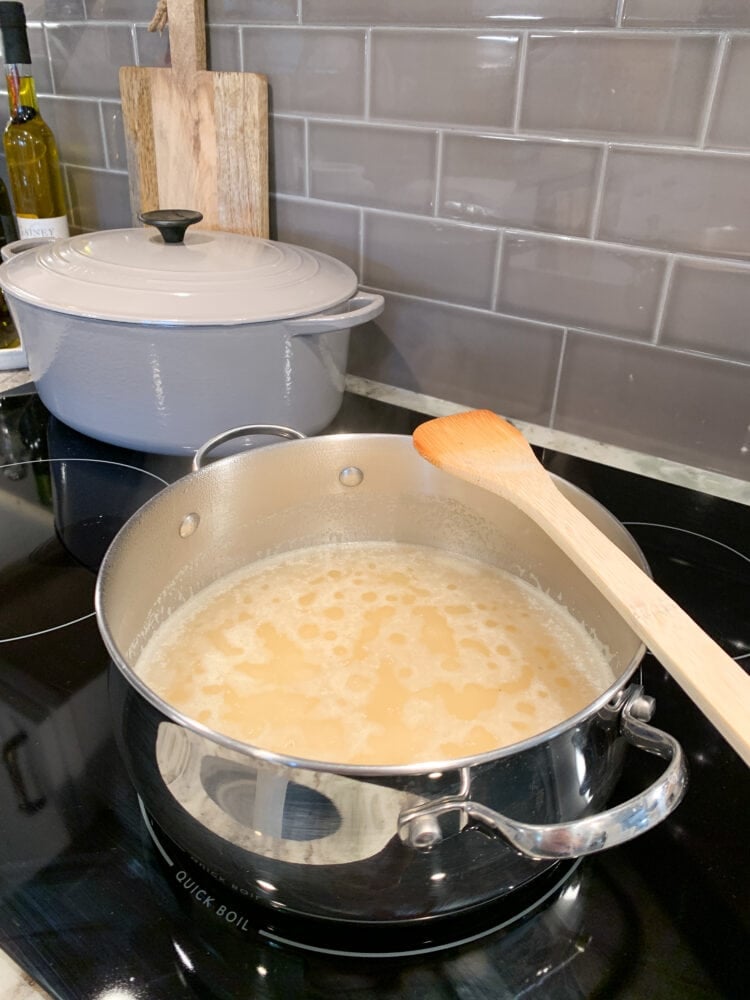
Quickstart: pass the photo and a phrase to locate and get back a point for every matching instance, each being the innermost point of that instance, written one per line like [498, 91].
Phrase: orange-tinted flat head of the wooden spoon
[478, 446]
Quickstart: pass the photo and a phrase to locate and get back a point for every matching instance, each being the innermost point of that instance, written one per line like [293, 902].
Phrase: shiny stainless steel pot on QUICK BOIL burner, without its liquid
[363, 843]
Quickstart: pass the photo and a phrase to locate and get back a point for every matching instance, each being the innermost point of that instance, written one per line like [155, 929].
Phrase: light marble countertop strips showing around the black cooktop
[14, 983]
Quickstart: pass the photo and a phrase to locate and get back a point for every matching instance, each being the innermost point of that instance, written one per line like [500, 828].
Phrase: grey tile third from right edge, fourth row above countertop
[467, 78]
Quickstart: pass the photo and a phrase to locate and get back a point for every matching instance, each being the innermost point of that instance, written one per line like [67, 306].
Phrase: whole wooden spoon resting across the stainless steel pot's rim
[486, 450]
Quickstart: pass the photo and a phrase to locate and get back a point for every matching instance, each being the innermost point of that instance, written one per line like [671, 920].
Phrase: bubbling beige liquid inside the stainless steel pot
[375, 653]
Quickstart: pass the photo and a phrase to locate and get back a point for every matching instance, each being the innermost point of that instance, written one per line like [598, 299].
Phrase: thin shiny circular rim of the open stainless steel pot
[355, 770]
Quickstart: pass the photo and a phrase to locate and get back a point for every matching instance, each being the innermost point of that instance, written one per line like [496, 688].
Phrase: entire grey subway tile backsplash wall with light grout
[552, 196]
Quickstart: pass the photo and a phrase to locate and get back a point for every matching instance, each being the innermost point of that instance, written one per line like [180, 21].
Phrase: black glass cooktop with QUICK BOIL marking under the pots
[96, 902]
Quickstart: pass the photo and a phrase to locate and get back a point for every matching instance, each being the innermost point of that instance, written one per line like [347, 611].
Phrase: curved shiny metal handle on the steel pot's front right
[420, 828]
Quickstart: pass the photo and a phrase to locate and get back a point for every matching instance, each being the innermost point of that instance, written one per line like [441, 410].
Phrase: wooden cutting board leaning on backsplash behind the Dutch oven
[197, 139]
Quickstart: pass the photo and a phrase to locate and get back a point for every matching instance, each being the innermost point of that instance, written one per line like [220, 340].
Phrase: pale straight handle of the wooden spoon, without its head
[718, 686]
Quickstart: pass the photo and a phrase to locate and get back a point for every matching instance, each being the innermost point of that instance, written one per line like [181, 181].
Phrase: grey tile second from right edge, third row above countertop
[509, 181]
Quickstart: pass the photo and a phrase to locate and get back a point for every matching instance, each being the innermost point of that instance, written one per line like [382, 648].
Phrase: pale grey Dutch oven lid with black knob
[194, 278]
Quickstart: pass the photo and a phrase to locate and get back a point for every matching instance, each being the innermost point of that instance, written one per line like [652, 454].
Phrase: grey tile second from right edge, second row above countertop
[581, 284]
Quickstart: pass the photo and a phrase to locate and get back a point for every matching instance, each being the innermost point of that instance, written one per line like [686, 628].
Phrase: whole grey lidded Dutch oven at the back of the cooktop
[158, 342]
